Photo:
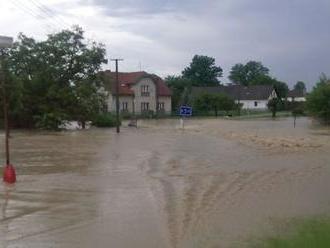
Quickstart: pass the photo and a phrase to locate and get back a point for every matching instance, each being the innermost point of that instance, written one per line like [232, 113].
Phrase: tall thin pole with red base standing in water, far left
[9, 174]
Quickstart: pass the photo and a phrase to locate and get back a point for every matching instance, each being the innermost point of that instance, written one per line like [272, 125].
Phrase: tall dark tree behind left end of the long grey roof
[202, 71]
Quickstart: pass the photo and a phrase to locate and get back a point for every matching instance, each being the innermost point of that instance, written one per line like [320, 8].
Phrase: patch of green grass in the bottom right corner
[311, 233]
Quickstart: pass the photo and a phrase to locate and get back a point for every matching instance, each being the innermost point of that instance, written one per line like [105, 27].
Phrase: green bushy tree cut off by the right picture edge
[318, 101]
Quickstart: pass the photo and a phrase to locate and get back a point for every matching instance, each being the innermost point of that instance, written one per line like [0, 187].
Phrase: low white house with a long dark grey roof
[251, 97]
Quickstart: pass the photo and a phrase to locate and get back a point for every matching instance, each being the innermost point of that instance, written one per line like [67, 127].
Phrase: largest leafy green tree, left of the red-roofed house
[58, 77]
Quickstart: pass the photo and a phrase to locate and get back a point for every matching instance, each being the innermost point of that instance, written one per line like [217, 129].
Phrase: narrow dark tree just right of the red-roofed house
[179, 87]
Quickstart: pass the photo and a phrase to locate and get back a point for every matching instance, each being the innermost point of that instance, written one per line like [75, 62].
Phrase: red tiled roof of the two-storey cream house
[127, 79]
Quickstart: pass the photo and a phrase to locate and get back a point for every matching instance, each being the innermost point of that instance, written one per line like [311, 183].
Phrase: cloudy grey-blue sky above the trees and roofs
[290, 37]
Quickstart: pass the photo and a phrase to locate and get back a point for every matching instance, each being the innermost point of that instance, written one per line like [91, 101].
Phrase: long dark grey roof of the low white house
[238, 92]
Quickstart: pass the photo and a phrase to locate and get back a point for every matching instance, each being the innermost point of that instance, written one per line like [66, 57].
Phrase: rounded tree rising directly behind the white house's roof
[251, 73]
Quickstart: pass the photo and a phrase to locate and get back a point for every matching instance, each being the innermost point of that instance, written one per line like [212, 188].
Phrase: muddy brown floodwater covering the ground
[217, 183]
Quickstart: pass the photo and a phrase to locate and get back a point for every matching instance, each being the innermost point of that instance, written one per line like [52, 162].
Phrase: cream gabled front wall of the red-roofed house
[151, 99]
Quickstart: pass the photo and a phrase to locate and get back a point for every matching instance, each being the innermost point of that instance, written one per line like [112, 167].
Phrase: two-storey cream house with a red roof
[139, 92]
